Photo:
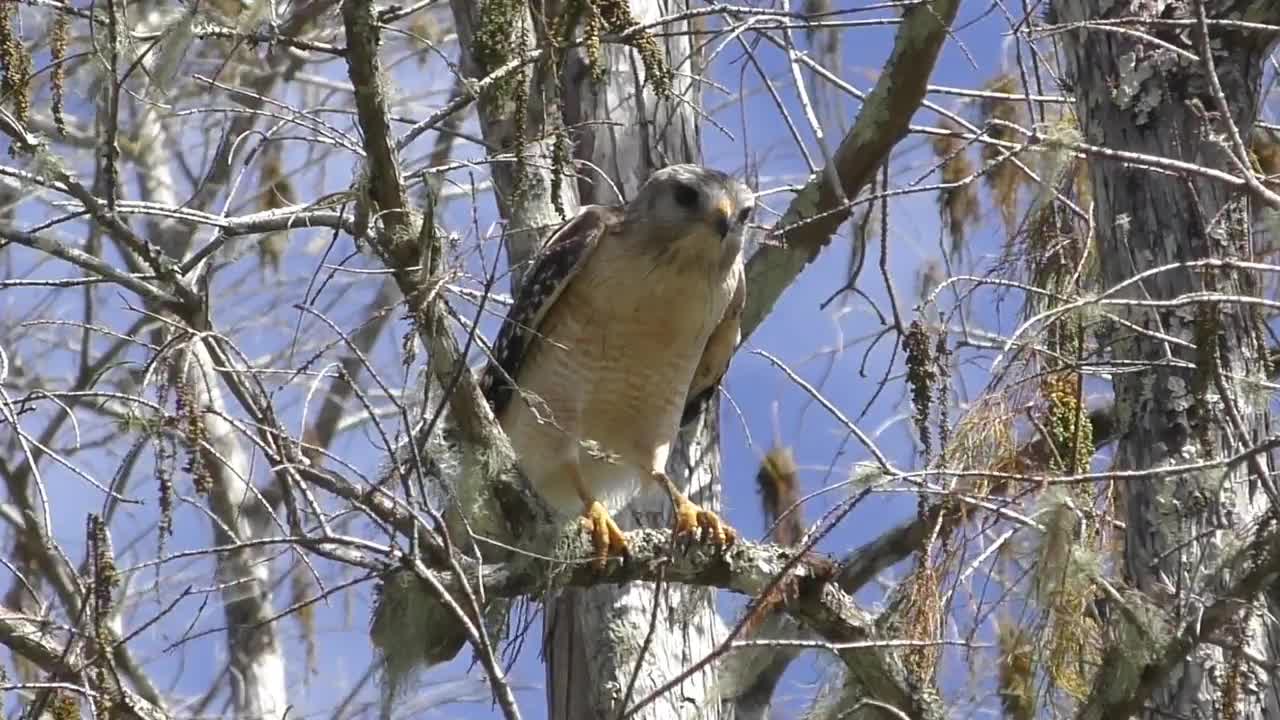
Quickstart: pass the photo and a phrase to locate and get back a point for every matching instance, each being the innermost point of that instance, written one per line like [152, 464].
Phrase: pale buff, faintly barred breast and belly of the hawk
[615, 359]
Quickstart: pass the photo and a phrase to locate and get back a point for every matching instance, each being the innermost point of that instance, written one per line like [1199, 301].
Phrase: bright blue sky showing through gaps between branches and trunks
[798, 332]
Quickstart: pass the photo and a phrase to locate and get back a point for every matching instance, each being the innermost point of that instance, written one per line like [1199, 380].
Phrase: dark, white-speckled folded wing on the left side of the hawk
[560, 261]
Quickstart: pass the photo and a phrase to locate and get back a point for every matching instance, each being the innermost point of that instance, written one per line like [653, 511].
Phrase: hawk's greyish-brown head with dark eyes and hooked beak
[694, 212]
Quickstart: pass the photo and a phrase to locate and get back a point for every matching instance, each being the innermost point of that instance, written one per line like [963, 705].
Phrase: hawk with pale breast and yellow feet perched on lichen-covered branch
[621, 331]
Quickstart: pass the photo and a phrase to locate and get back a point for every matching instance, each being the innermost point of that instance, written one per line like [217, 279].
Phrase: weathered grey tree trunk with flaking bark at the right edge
[1195, 399]
